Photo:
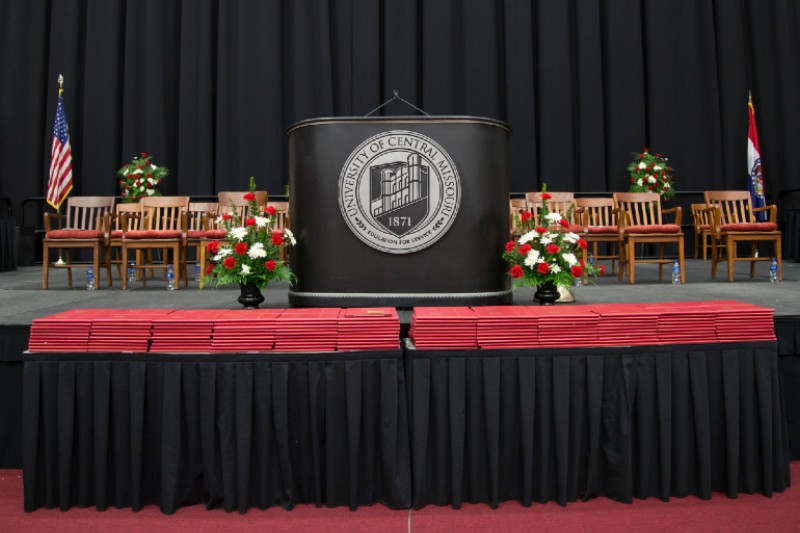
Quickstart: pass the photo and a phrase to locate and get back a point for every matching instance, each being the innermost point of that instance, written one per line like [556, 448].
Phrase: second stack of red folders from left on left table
[124, 330]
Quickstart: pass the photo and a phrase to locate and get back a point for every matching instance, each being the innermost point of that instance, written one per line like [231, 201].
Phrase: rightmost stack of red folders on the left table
[368, 328]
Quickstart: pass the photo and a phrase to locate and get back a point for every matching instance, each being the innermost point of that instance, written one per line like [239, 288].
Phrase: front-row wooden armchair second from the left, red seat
[165, 226]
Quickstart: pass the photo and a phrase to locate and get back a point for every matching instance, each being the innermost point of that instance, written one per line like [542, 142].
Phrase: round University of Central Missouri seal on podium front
[399, 192]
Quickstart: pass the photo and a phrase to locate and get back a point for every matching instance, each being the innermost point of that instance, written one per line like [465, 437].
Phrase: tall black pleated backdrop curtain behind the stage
[209, 86]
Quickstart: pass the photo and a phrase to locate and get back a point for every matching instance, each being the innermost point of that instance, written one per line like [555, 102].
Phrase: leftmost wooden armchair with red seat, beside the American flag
[83, 226]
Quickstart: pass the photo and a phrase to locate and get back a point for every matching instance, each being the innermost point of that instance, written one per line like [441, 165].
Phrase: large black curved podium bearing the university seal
[399, 211]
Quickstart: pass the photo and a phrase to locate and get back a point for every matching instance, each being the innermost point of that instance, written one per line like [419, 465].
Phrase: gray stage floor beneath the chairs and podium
[22, 298]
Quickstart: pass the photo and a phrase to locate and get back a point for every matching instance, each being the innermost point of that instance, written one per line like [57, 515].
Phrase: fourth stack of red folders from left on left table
[245, 331]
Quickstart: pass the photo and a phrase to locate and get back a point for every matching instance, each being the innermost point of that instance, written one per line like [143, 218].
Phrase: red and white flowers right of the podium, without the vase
[547, 252]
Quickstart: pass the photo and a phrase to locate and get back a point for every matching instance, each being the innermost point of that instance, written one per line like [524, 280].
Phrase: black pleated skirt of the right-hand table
[568, 424]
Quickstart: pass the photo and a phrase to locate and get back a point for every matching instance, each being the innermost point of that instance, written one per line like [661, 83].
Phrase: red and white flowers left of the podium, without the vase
[250, 252]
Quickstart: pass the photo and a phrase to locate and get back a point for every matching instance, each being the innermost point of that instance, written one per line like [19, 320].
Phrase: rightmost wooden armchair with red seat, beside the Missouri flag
[733, 221]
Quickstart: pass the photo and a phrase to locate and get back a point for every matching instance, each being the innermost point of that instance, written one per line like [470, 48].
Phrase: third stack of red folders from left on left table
[185, 331]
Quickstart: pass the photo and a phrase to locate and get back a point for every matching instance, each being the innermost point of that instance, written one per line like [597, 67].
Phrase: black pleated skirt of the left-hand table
[231, 431]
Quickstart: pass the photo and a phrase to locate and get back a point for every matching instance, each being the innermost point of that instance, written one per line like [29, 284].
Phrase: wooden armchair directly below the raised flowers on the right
[639, 218]
